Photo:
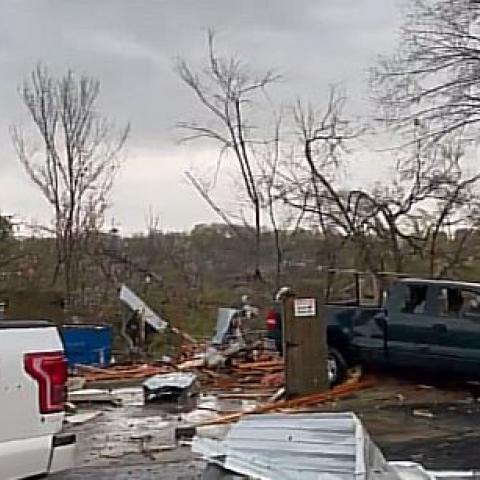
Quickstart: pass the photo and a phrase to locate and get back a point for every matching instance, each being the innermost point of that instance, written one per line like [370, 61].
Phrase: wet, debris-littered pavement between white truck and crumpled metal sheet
[132, 442]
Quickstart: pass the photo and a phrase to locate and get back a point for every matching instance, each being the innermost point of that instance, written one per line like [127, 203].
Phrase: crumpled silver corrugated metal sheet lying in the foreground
[298, 446]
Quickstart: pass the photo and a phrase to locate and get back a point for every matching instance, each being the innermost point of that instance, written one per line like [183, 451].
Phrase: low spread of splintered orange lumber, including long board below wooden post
[255, 375]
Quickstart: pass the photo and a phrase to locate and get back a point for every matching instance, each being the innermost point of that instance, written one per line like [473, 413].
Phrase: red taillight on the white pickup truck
[49, 369]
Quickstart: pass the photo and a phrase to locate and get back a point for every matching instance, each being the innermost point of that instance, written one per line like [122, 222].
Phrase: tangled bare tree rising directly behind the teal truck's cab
[432, 194]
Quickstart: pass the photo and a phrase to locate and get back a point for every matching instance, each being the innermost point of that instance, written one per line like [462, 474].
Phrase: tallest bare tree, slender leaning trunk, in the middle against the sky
[227, 90]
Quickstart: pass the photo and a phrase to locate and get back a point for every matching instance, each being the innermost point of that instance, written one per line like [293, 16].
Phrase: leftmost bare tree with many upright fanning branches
[76, 164]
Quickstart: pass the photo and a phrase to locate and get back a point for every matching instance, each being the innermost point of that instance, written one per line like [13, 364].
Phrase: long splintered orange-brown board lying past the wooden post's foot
[297, 403]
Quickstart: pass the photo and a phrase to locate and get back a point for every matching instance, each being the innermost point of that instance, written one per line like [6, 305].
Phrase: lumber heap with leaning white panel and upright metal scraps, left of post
[234, 359]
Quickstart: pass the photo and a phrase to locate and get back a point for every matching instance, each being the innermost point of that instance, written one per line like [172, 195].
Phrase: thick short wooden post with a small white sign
[305, 346]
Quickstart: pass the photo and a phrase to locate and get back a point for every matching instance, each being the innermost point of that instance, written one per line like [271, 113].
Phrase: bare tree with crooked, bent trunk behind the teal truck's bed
[311, 181]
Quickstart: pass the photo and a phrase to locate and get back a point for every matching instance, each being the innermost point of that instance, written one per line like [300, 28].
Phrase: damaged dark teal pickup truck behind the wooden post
[428, 324]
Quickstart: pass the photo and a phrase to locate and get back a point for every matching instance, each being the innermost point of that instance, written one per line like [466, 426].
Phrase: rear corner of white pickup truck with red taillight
[33, 376]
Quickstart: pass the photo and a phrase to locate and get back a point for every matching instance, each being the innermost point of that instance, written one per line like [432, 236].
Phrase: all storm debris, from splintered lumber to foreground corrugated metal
[239, 421]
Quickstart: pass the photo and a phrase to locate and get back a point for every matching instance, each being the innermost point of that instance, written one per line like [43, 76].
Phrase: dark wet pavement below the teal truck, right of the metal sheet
[437, 426]
